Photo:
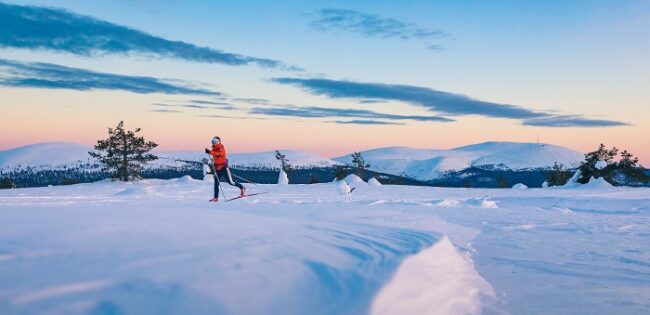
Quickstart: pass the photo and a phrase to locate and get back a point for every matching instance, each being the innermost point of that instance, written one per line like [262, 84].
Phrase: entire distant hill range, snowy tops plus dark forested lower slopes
[480, 165]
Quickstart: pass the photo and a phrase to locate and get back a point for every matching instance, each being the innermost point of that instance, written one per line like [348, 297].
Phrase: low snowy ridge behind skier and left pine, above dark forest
[58, 155]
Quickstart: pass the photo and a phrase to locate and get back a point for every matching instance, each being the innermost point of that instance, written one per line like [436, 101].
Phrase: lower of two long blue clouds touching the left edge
[52, 76]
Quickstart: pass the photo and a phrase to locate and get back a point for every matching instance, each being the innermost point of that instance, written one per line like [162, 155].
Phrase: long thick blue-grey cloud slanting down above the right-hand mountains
[445, 103]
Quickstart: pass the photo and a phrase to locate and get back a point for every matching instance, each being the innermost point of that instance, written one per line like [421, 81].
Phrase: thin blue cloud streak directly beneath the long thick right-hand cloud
[323, 112]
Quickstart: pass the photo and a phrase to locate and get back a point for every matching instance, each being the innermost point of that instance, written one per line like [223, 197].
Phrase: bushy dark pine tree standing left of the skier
[123, 153]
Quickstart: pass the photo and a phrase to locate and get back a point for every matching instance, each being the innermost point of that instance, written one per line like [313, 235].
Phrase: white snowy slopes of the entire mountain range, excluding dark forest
[420, 164]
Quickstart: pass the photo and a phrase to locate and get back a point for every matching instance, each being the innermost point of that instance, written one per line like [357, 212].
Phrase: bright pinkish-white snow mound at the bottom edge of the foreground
[438, 280]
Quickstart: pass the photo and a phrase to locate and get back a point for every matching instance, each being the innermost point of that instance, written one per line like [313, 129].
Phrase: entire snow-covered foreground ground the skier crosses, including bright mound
[158, 247]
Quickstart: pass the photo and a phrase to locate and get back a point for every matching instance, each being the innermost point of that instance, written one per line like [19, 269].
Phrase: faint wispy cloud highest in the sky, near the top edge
[371, 25]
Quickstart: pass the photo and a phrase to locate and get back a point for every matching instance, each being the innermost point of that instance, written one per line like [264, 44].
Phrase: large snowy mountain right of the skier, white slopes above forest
[427, 164]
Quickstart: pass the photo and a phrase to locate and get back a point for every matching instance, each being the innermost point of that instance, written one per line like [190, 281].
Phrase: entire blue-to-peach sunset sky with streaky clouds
[329, 77]
